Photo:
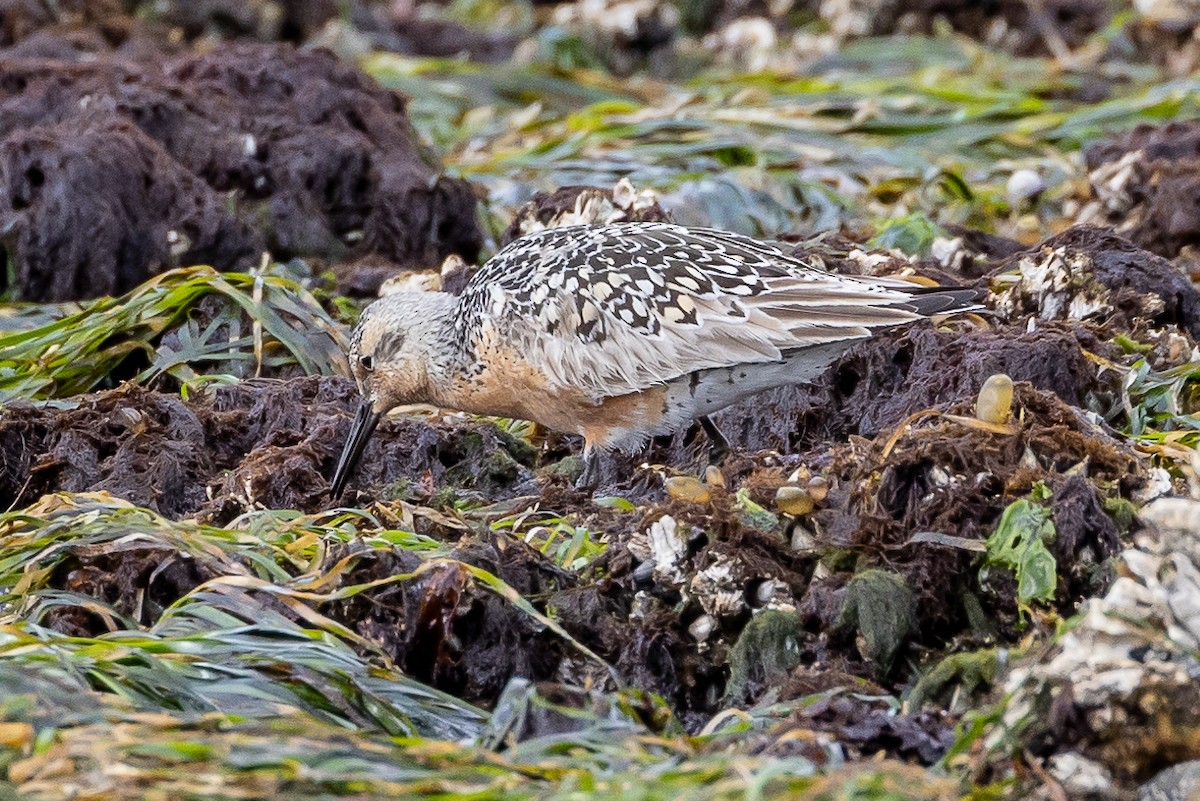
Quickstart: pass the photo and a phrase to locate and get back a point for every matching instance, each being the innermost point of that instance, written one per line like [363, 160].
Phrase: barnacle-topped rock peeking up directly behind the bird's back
[585, 206]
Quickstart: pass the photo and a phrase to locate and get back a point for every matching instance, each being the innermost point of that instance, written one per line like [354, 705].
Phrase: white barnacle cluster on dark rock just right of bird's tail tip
[1054, 285]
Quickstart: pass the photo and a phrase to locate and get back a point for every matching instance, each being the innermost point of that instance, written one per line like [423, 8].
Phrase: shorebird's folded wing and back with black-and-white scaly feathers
[619, 309]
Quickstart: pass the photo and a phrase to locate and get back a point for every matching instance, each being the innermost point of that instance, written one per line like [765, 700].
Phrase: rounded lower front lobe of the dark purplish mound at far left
[99, 207]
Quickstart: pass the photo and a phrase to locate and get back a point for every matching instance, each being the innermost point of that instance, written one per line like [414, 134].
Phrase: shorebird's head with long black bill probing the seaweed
[389, 356]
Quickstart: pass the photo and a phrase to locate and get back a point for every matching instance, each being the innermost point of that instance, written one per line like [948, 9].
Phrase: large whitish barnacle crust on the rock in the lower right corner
[1130, 665]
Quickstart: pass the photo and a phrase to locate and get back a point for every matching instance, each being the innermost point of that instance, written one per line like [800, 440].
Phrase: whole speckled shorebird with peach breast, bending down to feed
[620, 333]
